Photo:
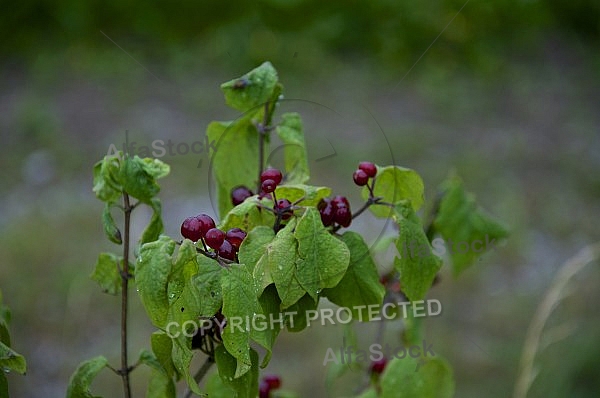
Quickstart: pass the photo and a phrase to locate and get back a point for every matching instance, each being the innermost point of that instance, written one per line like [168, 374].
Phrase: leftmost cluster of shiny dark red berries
[202, 228]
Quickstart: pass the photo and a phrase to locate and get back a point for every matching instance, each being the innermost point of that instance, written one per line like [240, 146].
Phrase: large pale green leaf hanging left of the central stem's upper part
[233, 140]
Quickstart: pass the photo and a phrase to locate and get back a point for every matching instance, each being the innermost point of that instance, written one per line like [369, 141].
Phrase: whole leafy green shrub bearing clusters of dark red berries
[283, 252]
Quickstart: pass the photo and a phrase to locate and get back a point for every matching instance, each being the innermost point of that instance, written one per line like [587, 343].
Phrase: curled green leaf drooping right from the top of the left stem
[136, 180]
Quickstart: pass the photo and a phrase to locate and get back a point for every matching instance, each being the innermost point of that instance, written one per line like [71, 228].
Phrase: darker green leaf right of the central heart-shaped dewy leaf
[360, 285]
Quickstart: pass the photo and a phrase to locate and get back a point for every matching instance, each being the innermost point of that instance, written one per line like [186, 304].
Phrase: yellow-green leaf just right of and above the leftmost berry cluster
[248, 215]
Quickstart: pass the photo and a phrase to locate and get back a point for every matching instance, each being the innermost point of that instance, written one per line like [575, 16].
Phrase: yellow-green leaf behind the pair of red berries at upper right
[393, 184]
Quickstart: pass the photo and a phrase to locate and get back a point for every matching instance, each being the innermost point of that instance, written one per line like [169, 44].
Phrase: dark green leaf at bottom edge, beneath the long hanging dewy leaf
[244, 386]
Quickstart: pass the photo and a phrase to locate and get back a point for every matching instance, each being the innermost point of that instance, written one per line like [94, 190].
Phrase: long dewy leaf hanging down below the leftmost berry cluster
[240, 307]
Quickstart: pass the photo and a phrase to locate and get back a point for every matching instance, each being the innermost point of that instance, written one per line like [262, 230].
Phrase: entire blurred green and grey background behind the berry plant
[505, 92]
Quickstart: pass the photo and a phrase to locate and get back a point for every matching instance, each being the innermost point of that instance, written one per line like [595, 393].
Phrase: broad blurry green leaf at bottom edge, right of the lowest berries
[401, 379]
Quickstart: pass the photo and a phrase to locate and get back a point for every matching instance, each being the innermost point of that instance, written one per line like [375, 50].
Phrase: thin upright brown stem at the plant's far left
[125, 370]
